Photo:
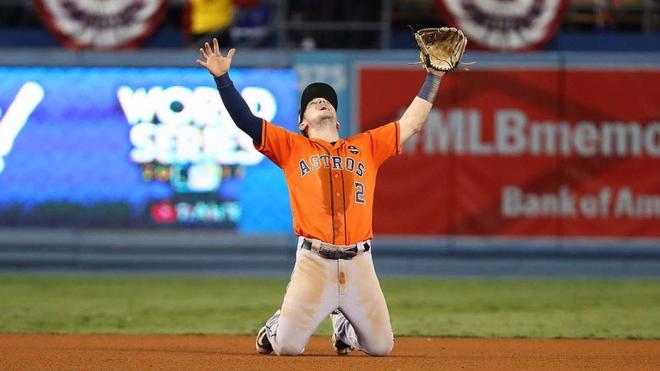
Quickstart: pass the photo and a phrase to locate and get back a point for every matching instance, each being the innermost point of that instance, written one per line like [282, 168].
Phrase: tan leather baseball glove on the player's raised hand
[441, 48]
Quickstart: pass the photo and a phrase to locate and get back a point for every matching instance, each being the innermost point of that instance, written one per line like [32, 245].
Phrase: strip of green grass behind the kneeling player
[427, 307]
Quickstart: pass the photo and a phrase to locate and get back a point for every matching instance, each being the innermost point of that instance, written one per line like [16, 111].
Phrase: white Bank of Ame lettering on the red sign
[622, 203]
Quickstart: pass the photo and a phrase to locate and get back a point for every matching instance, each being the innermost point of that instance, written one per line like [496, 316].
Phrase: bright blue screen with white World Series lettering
[139, 147]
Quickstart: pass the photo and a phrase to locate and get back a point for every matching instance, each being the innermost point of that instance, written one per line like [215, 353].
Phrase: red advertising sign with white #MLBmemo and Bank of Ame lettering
[531, 152]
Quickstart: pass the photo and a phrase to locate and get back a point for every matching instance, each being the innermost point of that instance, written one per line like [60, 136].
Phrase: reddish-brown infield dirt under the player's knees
[126, 352]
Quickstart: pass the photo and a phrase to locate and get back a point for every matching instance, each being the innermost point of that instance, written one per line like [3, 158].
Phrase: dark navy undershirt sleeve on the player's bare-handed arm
[238, 108]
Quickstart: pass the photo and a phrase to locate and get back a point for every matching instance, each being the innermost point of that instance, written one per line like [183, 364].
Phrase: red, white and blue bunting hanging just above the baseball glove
[506, 25]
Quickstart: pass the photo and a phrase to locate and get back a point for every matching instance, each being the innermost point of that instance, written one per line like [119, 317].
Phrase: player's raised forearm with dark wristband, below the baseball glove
[415, 115]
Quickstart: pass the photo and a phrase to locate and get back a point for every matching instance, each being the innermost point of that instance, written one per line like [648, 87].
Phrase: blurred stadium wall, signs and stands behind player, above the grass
[116, 154]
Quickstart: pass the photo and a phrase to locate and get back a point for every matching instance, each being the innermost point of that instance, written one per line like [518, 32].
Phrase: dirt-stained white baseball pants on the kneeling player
[317, 287]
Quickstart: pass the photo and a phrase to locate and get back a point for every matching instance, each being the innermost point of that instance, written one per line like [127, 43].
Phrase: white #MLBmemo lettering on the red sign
[510, 132]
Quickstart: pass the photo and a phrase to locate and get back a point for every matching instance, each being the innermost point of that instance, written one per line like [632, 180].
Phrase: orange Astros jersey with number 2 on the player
[331, 187]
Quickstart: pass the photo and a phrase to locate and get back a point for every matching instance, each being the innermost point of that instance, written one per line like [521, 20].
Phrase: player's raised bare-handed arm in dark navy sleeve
[238, 109]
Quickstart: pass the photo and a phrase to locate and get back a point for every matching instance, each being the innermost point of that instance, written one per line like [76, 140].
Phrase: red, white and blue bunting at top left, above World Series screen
[101, 24]
